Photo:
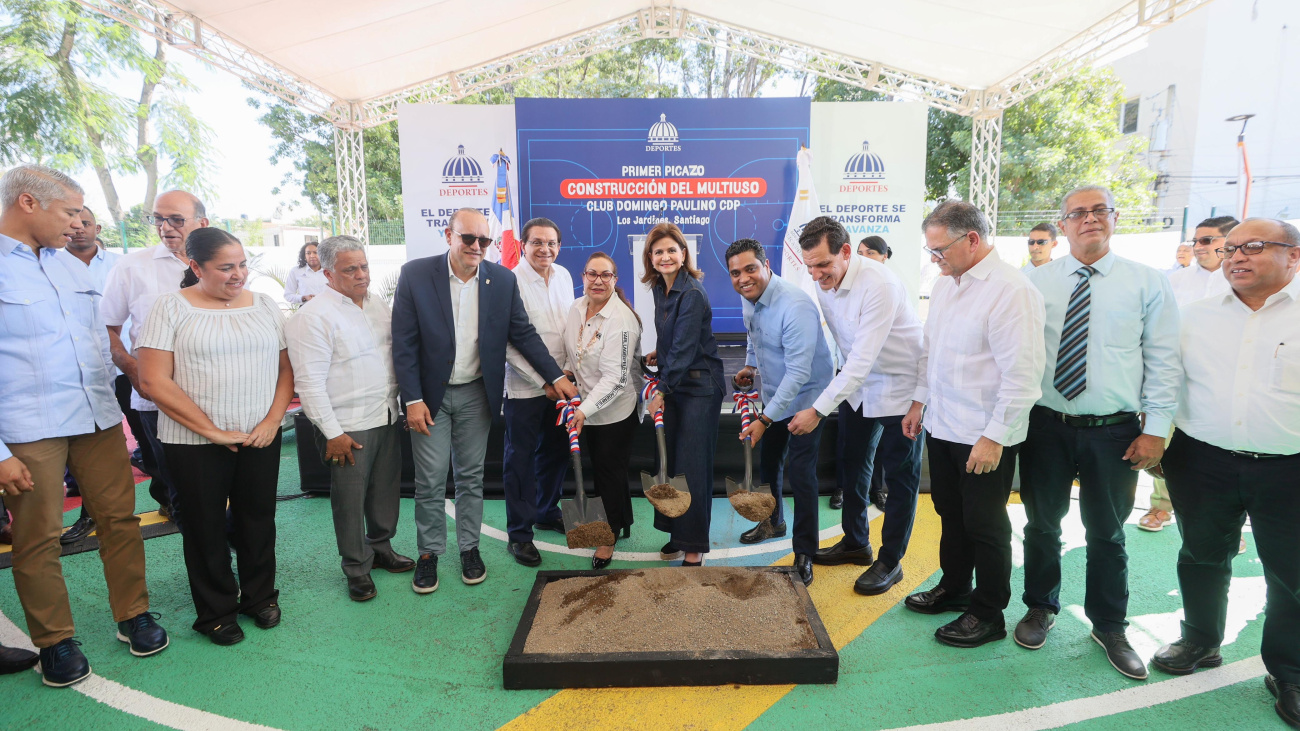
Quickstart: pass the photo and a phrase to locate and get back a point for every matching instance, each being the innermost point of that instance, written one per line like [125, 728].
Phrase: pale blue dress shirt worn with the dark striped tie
[1133, 340]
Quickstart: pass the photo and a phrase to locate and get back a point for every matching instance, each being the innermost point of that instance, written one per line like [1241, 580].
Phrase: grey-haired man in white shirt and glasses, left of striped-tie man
[978, 377]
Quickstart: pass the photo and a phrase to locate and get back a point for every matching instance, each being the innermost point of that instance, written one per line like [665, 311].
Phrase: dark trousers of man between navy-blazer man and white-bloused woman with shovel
[535, 465]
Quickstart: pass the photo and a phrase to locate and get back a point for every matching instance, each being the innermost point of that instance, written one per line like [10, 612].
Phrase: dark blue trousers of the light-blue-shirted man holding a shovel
[796, 457]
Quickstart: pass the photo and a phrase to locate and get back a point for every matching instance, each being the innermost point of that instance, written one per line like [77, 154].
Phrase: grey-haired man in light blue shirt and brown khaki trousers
[60, 413]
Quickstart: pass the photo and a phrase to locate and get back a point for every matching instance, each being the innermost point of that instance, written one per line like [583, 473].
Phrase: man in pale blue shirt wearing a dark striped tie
[1108, 401]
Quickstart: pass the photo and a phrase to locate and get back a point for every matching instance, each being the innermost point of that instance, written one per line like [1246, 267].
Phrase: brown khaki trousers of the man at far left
[102, 468]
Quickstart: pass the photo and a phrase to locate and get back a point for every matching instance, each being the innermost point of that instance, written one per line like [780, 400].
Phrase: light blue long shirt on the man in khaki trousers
[54, 349]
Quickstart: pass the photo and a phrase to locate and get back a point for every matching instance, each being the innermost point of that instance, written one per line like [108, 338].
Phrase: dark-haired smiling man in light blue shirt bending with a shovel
[787, 347]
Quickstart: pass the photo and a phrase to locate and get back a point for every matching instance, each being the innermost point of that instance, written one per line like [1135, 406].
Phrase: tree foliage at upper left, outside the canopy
[55, 58]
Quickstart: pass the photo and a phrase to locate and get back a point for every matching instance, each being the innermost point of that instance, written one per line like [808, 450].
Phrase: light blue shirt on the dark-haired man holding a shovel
[787, 345]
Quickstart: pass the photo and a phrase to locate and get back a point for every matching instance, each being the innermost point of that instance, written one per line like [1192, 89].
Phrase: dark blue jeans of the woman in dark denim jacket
[691, 431]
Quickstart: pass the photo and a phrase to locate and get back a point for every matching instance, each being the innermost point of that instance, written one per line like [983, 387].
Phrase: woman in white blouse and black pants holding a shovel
[603, 343]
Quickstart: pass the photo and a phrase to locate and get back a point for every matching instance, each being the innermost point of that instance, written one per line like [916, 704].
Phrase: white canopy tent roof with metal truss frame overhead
[354, 63]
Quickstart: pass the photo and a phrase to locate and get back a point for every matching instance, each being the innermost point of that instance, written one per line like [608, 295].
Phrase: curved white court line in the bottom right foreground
[1121, 702]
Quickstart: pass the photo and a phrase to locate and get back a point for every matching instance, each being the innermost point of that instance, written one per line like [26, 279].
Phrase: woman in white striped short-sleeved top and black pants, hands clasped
[213, 357]
